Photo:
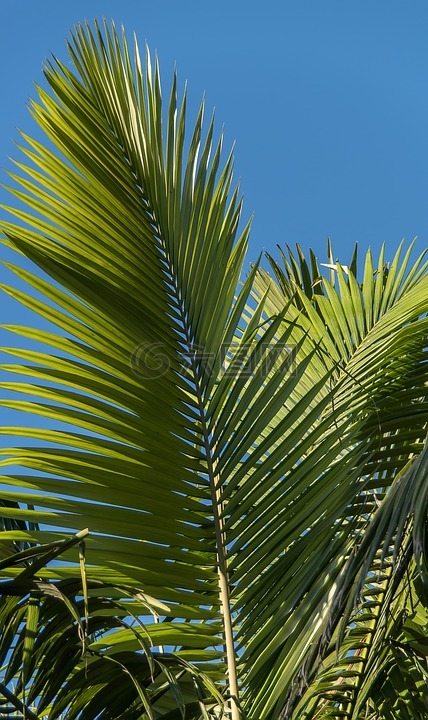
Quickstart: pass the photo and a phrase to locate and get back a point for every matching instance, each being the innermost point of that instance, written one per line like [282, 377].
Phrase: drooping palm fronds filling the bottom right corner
[385, 633]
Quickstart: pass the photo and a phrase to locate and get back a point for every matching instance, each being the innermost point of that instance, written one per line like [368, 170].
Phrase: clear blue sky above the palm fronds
[328, 103]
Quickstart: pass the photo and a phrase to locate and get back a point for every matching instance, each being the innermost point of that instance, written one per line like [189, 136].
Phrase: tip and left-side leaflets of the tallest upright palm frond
[141, 241]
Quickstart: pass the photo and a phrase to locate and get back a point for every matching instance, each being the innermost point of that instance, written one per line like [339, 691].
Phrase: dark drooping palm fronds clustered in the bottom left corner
[77, 646]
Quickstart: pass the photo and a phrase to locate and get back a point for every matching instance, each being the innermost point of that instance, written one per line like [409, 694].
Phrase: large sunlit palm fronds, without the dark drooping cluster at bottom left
[232, 446]
